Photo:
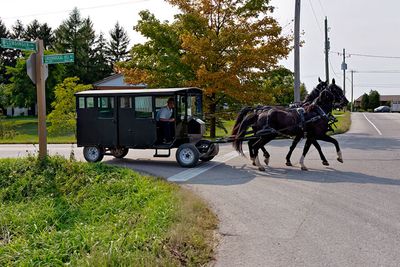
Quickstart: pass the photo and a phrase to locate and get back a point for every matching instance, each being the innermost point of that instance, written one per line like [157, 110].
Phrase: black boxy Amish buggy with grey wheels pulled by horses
[110, 122]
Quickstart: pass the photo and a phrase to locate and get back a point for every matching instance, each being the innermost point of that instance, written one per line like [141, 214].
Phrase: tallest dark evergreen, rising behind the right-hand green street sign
[76, 35]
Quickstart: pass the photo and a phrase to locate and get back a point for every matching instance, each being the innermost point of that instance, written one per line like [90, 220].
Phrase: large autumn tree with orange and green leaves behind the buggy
[226, 47]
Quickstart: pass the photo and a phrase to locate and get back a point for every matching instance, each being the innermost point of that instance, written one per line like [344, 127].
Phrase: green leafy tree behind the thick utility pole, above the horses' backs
[280, 84]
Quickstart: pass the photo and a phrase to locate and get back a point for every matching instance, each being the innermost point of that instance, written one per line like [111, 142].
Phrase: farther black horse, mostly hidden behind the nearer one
[252, 114]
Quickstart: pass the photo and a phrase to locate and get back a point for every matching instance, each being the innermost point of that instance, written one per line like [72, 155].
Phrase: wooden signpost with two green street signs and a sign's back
[37, 70]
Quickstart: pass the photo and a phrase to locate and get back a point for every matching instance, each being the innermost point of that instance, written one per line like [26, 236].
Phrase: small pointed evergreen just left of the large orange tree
[117, 47]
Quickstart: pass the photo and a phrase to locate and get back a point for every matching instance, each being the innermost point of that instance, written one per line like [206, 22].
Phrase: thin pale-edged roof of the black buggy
[158, 91]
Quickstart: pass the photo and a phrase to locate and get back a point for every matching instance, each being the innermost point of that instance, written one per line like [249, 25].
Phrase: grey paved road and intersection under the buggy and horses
[341, 215]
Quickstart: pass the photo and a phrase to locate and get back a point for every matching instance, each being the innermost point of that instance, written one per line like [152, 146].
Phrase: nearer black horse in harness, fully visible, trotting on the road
[288, 122]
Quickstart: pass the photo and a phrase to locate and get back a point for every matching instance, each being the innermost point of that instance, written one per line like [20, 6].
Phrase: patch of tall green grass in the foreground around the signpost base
[59, 211]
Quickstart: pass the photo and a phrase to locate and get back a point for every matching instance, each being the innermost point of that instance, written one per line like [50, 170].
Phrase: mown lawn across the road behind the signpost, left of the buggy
[26, 132]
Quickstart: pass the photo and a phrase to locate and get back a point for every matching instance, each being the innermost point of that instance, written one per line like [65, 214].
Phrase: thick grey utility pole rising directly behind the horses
[297, 52]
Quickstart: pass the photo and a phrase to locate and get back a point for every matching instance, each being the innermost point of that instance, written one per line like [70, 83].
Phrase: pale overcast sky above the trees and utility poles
[365, 28]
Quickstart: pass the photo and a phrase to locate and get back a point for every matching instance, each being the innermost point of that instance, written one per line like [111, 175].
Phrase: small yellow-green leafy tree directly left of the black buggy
[63, 116]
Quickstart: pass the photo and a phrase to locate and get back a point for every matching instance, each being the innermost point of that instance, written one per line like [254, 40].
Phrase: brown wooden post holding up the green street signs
[41, 100]
